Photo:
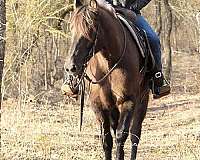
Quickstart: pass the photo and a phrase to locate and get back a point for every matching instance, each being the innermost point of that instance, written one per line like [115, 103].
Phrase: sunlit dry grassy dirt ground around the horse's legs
[48, 128]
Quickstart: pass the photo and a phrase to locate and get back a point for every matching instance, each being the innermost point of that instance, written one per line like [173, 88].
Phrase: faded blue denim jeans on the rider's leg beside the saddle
[153, 39]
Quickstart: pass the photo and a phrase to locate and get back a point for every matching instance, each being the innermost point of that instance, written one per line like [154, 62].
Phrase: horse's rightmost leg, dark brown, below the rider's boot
[136, 125]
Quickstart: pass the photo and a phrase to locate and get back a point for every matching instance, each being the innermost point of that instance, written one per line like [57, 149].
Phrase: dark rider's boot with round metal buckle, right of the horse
[160, 86]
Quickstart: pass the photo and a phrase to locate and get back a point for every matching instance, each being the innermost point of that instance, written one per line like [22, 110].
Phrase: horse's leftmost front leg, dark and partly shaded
[102, 116]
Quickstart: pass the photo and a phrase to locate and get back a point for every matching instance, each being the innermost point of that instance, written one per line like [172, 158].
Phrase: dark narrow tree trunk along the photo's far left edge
[2, 40]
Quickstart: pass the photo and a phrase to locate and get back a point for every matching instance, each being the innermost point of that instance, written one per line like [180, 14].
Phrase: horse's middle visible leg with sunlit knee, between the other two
[126, 112]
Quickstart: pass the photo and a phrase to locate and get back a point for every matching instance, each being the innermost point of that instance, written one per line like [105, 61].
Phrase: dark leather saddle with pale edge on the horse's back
[128, 17]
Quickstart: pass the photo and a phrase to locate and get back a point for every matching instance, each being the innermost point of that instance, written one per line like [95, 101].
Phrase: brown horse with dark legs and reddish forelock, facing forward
[103, 52]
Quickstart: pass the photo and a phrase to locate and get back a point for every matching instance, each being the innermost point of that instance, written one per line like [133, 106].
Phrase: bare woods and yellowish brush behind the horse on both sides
[36, 49]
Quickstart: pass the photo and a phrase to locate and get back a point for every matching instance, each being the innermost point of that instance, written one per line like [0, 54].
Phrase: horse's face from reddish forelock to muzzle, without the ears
[83, 37]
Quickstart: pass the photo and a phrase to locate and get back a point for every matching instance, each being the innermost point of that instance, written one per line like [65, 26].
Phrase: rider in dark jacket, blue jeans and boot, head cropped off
[161, 86]
